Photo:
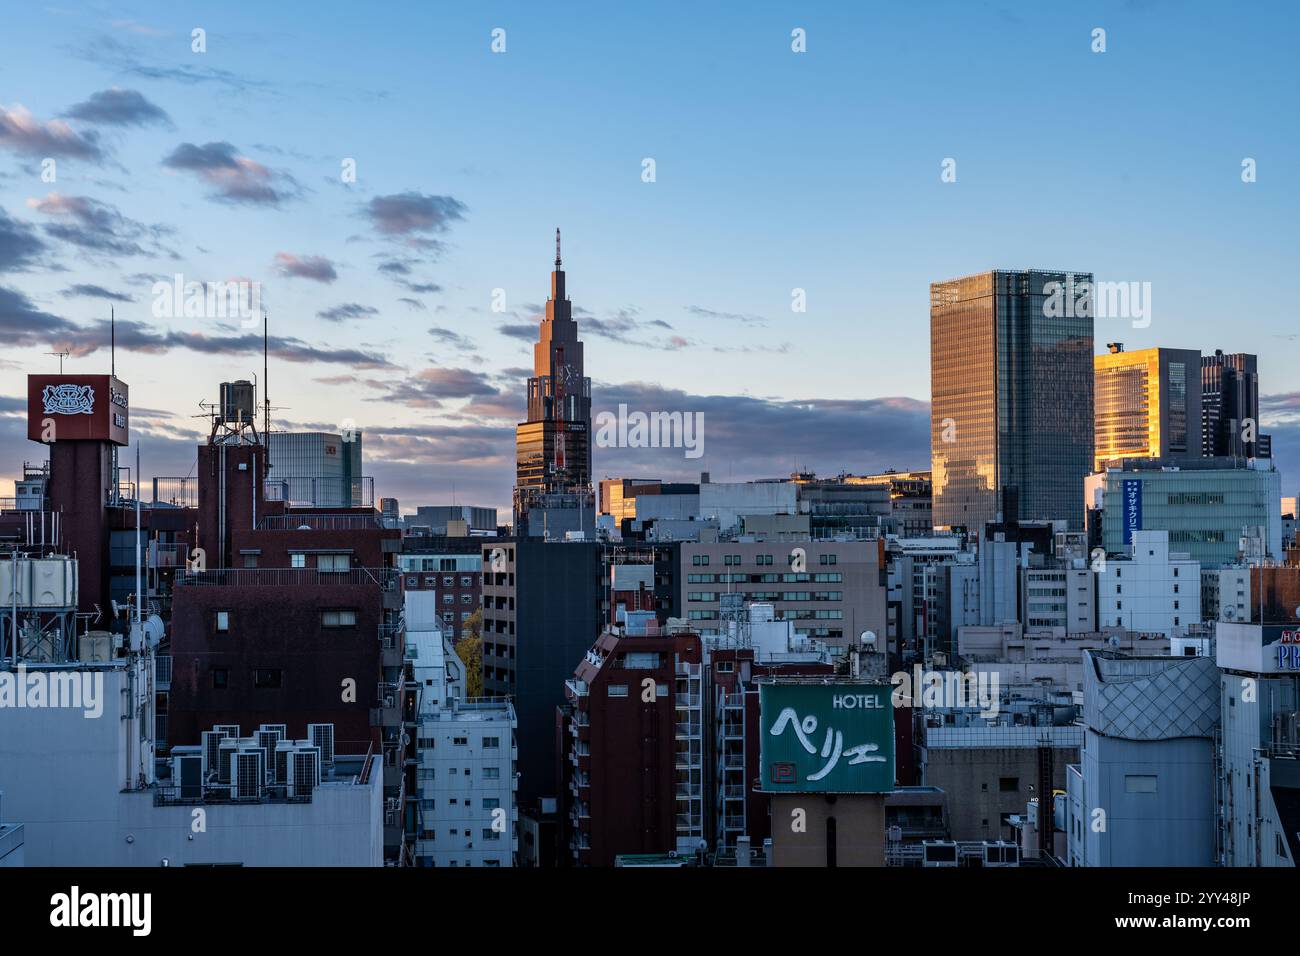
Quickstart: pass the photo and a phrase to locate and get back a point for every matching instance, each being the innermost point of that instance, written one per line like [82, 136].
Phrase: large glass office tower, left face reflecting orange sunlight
[1012, 386]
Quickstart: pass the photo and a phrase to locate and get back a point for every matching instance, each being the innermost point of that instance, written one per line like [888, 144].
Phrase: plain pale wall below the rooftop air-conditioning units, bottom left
[64, 775]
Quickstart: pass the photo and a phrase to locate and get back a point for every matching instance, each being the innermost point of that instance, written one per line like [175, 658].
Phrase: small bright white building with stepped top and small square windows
[1154, 591]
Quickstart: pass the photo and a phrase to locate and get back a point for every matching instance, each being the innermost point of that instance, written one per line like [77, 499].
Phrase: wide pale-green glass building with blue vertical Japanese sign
[1207, 505]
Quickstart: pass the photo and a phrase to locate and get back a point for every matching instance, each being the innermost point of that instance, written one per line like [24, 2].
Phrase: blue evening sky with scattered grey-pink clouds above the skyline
[405, 300]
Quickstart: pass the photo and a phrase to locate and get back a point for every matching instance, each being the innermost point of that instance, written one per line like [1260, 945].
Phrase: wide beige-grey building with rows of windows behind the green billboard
[834, 591]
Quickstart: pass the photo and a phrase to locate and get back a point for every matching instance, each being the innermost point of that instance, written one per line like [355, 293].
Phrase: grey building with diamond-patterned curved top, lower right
[1143, 791]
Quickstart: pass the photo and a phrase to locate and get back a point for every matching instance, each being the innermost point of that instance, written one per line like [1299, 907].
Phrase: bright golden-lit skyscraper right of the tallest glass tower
[1149, 405]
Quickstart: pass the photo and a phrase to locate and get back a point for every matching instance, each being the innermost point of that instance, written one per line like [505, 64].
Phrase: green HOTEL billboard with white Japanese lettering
[826, 738]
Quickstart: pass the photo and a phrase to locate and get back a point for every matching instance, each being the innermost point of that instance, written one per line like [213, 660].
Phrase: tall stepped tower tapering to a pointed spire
[553, 452]
